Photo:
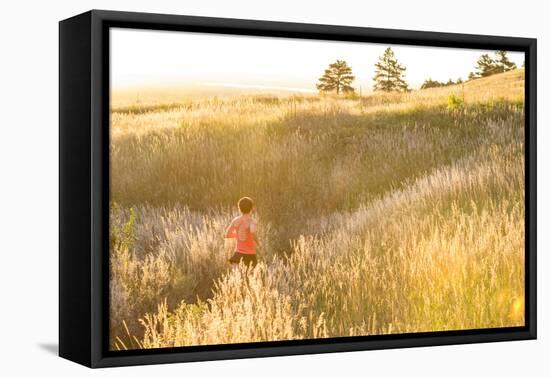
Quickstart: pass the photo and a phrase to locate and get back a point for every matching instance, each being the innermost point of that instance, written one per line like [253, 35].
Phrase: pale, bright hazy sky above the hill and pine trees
[143, 57]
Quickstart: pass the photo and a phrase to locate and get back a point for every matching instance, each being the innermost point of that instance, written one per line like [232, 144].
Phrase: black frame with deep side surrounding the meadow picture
[84, 186]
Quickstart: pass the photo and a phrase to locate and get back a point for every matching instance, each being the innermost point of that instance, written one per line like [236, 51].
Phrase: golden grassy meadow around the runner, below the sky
[387, 213]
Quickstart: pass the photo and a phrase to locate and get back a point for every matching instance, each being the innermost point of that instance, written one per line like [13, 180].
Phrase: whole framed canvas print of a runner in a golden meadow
[235, 188]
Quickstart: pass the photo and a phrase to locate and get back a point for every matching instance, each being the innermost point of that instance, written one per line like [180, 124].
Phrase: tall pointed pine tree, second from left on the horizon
[389, 74]
